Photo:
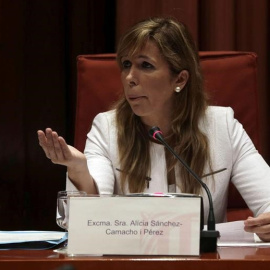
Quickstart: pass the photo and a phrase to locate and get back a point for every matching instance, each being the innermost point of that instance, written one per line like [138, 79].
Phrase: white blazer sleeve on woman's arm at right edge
[250, 173]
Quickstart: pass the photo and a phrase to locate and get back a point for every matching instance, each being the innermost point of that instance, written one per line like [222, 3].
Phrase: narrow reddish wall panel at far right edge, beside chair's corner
[253, 28]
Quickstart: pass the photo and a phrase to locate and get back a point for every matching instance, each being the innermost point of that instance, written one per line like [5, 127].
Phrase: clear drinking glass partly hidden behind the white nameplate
[62, 211]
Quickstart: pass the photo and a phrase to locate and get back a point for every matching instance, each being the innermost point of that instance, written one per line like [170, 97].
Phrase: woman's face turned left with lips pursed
[148, 83]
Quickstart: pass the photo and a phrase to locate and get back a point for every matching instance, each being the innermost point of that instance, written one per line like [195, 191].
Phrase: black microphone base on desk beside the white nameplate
[208, 241]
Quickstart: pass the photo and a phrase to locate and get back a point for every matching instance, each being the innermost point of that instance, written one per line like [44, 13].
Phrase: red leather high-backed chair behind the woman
[230, 80]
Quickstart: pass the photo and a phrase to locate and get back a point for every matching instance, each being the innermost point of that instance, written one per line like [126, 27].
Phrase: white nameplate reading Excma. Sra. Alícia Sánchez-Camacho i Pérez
[134, 226]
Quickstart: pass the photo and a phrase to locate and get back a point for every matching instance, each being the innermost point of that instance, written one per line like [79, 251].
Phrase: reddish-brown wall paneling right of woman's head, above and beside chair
[241, 26]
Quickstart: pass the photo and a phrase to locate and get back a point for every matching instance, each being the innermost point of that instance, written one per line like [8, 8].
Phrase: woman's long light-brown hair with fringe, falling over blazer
[178, 49]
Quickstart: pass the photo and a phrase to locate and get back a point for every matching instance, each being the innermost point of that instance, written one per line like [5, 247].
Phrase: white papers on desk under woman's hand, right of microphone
[232, 234]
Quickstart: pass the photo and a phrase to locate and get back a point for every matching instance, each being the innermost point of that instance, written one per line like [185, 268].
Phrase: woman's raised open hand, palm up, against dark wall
[58, 151]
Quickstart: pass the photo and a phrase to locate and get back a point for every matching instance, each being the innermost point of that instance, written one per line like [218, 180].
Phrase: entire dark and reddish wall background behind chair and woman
[39, 42]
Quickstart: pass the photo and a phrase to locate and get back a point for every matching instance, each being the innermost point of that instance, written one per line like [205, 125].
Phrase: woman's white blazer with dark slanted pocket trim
[230, 147]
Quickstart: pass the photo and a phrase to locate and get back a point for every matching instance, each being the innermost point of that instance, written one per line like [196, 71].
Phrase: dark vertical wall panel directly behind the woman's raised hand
[44, 106]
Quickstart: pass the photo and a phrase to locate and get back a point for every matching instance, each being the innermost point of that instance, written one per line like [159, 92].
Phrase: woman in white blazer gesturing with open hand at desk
[163, 87]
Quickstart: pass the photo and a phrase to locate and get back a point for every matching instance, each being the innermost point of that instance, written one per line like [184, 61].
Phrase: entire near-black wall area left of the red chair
[39, 42]
